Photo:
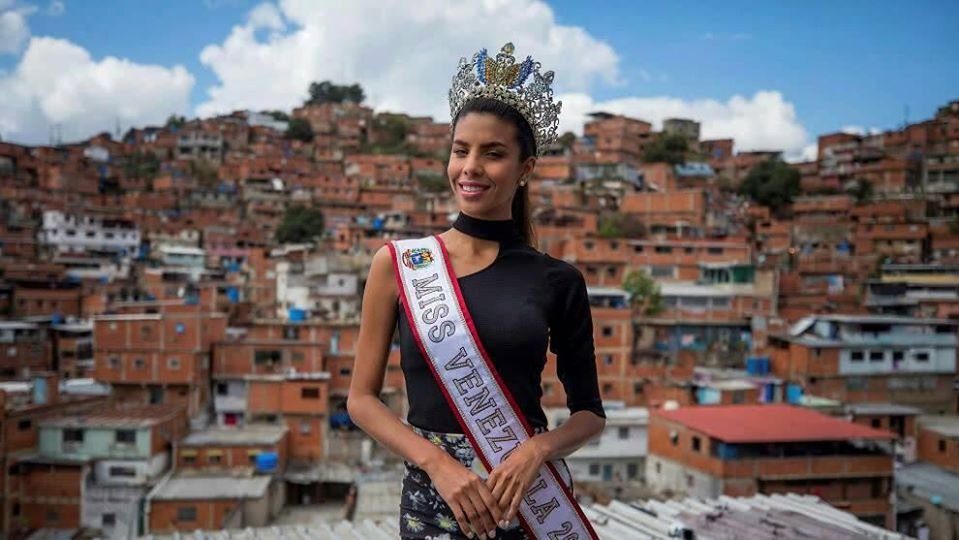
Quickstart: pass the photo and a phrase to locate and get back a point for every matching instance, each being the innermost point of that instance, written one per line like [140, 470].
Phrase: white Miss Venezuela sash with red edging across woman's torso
[483, 405]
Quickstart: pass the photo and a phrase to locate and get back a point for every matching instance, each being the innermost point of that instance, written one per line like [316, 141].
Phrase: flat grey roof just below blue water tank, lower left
[210, 487]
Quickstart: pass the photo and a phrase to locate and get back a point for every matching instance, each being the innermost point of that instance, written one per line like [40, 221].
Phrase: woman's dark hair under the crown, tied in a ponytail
[521, 212]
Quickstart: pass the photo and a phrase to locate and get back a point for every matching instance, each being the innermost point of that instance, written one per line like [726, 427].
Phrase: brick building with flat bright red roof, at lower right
[744, 450]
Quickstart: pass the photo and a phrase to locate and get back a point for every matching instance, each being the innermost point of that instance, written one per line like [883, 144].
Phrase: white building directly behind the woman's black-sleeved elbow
[618, 454]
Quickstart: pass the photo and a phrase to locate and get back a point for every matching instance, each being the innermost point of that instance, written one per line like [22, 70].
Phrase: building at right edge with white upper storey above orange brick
[873, 359]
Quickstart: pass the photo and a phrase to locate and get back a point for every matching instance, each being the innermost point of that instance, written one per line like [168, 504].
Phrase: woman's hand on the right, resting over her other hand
[510, 480]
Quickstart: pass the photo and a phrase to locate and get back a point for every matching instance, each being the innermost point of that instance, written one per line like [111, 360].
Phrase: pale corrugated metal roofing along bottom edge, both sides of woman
[777, 517]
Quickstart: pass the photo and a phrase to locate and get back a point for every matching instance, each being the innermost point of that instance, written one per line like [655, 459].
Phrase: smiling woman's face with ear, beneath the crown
[485, 166]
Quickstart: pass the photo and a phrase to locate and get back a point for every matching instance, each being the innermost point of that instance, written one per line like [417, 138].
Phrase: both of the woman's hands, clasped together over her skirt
[478, 505]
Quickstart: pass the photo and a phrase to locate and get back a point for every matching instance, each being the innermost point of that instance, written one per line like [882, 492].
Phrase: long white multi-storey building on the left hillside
[70, 233]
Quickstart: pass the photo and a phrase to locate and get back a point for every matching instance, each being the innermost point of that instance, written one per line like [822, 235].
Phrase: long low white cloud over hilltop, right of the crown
[765, 121]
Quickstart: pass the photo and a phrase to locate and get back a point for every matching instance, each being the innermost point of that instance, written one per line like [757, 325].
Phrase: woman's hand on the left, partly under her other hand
[467, 495]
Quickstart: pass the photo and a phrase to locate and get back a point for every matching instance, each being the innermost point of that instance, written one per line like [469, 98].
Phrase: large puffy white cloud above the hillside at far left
[57, 82]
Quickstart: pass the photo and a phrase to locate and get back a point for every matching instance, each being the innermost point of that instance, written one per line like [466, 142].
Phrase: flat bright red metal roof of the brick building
[768, 423]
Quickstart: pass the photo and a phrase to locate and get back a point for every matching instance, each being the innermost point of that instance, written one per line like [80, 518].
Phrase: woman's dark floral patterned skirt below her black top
[423, 512]
